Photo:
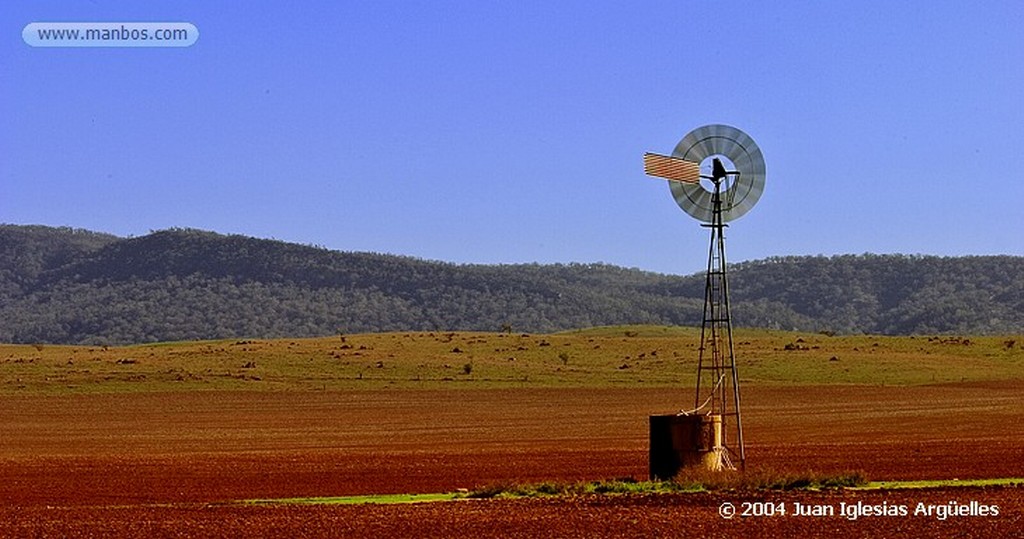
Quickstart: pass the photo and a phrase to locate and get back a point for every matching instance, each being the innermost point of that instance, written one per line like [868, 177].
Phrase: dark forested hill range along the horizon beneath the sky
[71, 286]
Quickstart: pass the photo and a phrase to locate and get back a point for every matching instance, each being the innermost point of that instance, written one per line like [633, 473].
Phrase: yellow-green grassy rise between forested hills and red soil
[616, 357]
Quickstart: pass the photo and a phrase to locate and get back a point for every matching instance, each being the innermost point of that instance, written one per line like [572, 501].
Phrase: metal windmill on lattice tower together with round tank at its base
[716, 174]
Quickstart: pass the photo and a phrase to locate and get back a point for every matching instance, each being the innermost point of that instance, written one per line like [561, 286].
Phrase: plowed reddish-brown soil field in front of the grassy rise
[175, 464]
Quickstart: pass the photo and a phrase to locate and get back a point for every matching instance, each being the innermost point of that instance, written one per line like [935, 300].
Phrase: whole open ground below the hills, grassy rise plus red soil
[169, 440]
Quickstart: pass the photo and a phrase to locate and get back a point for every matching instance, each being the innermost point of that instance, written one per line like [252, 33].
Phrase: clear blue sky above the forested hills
[504, 133]
